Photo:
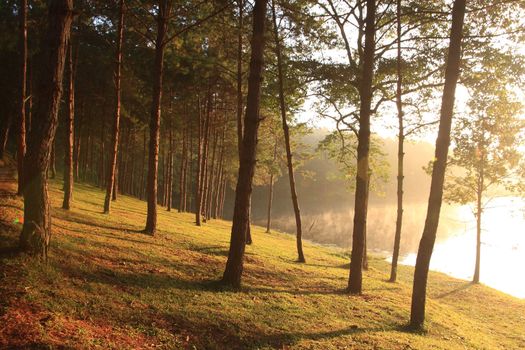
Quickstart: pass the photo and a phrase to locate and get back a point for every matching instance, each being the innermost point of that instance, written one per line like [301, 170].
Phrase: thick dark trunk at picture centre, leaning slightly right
[234, 265]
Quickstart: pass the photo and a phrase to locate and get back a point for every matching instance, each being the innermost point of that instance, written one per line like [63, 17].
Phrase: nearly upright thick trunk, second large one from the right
[355, 280]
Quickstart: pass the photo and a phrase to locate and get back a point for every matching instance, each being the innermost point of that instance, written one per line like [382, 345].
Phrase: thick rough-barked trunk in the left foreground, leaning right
[36, 231]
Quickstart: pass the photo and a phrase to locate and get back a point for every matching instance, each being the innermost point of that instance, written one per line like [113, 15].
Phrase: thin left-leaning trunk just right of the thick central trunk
[286, 130]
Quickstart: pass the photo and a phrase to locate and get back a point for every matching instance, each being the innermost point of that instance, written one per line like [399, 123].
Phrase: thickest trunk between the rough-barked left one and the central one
[162, 28]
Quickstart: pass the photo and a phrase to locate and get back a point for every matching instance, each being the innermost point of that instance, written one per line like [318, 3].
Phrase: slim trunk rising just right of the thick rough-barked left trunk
[70, 137]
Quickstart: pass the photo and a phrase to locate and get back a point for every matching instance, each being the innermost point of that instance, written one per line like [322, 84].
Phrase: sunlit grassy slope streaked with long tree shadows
[107, 285]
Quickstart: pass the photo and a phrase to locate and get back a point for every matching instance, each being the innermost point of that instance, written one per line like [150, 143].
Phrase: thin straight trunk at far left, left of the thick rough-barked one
[23, 81]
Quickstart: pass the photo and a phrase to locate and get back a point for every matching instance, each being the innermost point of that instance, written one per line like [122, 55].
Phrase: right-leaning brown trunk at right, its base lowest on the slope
[426, 245]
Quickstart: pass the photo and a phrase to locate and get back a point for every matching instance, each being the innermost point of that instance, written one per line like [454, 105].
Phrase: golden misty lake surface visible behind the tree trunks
[502, 237]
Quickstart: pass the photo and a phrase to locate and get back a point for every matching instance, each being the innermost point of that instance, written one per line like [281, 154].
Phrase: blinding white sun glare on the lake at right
[502, 247]
